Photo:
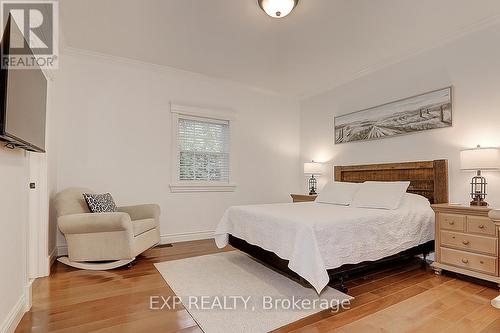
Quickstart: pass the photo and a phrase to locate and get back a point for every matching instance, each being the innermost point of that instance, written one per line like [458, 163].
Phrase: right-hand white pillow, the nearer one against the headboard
[380, 195]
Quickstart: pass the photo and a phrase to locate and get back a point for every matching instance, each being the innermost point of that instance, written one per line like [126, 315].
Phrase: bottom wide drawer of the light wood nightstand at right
[467, 260]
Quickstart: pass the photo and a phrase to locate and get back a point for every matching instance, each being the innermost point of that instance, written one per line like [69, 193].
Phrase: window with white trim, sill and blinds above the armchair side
[201, 150]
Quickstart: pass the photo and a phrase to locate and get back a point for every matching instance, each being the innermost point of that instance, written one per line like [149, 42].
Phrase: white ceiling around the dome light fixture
[322, 44]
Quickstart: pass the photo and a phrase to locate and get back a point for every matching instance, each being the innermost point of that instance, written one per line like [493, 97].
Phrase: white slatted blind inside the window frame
[203, 149]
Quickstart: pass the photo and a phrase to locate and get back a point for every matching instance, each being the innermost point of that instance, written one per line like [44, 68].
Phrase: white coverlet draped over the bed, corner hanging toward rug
[315, 237]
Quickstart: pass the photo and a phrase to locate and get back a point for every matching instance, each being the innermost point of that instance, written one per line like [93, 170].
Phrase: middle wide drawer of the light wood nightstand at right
[468, 242]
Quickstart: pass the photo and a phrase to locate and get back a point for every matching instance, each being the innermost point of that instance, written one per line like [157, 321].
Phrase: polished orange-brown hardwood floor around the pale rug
[404, 299]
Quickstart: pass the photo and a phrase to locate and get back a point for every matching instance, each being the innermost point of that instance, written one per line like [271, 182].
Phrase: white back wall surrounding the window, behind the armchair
[114, 134]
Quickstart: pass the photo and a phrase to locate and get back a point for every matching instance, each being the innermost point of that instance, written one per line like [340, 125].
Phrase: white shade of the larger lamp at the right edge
[480, 159]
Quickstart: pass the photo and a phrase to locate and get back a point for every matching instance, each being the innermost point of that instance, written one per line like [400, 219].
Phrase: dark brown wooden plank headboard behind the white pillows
[427, 178]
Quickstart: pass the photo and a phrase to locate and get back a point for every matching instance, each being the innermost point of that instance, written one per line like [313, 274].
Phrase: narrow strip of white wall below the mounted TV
[14, 171]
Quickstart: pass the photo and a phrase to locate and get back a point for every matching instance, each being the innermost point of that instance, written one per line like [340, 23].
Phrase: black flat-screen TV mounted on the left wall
[23, 99]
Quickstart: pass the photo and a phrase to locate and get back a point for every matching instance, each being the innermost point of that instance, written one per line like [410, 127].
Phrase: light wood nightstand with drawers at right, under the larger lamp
[467, 242]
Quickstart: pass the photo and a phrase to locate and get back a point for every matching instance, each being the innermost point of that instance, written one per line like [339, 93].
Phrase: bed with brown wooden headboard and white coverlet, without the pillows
[323, 244]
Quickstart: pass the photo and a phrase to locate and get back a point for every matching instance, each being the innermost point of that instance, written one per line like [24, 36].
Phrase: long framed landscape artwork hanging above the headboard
[414, 114]
